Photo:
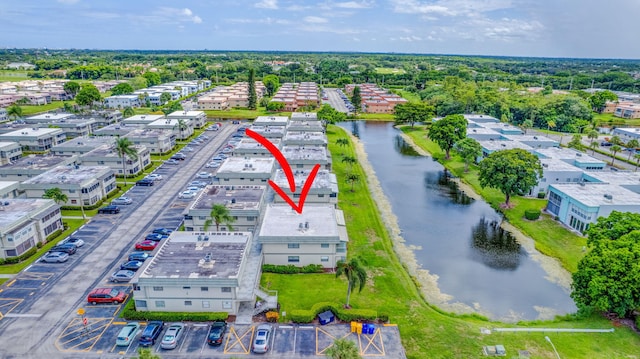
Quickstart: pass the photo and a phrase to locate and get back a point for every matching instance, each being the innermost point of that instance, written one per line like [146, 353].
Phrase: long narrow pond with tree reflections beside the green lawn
[475, 264]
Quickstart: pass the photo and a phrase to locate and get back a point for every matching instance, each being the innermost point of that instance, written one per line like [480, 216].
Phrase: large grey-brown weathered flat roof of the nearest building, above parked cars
[196, 255]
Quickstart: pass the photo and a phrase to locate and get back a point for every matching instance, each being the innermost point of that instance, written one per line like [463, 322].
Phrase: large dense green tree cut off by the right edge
[607, 276]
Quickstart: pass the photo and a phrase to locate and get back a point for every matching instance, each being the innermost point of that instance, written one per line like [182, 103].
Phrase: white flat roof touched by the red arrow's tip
[280, 221]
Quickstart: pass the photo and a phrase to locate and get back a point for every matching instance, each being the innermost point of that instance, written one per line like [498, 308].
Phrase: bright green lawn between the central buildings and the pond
[426, 331]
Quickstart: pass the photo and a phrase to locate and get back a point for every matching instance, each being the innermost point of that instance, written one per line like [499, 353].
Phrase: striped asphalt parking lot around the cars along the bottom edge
[288, 341]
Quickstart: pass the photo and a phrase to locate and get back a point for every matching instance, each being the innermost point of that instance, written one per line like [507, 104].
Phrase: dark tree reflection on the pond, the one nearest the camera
[494, 246]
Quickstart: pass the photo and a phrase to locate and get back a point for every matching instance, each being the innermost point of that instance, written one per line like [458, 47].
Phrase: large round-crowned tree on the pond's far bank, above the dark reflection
[513, 172]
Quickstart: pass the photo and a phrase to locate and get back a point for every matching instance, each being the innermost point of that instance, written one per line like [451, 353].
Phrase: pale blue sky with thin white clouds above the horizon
[545, 28]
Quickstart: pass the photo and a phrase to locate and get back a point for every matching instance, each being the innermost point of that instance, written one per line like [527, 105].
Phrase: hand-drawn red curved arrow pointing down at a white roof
[286, 168]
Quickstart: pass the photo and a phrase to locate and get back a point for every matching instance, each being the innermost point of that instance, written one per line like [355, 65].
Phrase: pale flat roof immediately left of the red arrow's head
[237, 197]
